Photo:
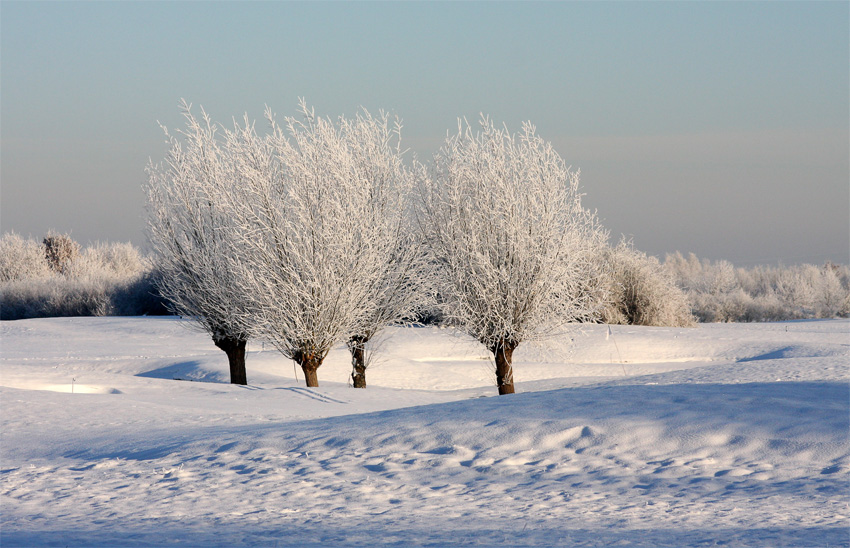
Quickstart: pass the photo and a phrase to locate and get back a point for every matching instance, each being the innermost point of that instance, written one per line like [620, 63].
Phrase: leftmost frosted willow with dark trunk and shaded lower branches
[187, 227]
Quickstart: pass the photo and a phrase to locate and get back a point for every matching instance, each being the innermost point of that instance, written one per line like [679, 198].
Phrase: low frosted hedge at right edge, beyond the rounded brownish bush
[719, 292]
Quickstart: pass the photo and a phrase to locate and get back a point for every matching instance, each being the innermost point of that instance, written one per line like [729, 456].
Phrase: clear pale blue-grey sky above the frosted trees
[718, 128]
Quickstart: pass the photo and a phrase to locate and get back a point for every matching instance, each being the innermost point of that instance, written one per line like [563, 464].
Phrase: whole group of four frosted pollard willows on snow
[316, 233]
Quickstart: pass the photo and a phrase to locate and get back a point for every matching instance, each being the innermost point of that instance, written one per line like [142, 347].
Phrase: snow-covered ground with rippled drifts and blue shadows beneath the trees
[732, 435]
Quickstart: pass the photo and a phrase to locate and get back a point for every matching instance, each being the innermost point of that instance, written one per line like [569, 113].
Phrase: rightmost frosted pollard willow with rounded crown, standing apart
[511, 244]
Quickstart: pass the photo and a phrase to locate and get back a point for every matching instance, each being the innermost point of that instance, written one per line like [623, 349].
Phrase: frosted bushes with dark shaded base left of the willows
[57, 277]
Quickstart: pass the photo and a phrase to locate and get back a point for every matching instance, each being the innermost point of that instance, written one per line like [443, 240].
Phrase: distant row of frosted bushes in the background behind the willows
[58, 277]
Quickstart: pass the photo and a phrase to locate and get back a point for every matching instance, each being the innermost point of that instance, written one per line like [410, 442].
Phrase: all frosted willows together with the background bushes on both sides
[316, 233]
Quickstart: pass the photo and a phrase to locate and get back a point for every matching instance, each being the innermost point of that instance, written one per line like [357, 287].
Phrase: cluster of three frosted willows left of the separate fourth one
[299, 237]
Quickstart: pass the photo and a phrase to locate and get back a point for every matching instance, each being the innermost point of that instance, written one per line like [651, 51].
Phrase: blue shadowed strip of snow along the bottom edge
[371, 532]
